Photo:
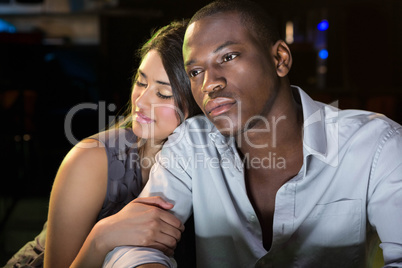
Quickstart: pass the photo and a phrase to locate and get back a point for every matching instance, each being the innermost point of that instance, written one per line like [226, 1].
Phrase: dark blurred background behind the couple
[41, 81]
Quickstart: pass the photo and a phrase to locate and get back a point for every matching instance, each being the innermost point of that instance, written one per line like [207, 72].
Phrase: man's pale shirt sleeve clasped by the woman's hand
[170, 180]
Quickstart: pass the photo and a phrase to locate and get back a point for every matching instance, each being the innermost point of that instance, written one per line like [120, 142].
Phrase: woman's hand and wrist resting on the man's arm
[143, 222]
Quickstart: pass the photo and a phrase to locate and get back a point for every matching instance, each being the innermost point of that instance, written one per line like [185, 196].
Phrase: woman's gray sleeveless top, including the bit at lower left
[124, 184]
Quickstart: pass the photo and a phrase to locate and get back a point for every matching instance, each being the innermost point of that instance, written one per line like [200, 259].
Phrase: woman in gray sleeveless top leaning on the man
[91, 209]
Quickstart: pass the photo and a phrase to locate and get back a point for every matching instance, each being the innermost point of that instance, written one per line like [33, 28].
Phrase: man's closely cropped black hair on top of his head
[252, 15]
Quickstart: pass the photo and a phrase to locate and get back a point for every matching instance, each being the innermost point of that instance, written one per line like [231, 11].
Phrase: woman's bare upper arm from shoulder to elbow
[76, 199]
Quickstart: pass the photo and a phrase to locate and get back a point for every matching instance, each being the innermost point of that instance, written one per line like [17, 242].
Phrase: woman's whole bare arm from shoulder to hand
[78, 193]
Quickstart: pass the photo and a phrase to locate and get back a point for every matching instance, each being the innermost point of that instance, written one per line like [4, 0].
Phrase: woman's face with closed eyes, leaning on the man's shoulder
[154, 111]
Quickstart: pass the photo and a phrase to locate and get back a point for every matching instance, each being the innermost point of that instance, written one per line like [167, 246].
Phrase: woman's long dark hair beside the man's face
[168, 42]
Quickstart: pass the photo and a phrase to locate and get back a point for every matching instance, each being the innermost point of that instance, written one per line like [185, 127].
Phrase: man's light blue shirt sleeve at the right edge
[385, 197]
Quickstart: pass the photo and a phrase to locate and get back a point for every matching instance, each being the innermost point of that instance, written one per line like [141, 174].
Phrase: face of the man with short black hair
[233, 76]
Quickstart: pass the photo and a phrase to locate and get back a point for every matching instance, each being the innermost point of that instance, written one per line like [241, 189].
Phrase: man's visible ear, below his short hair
[282, 58]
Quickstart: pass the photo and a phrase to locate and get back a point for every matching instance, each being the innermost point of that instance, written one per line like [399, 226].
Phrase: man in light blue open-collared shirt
[273, 178]
